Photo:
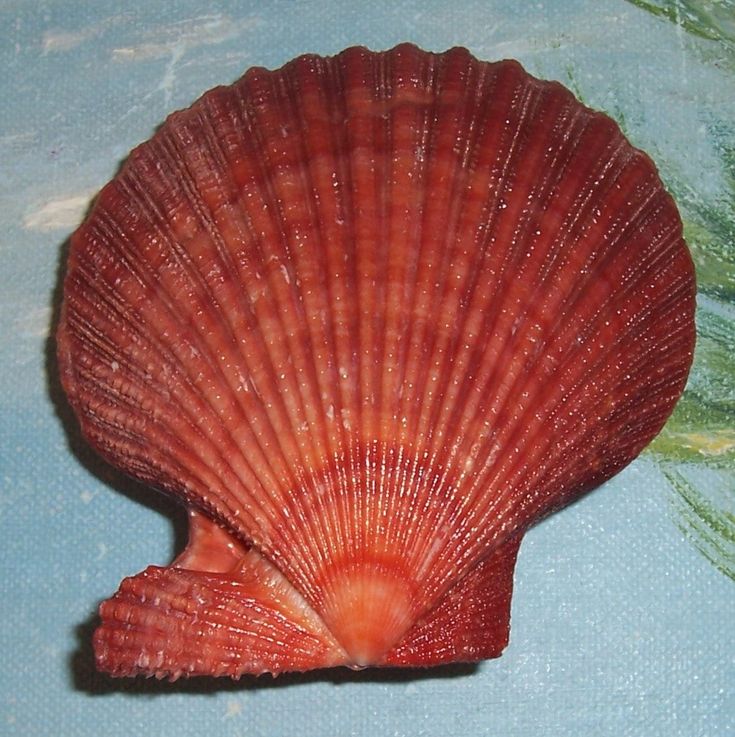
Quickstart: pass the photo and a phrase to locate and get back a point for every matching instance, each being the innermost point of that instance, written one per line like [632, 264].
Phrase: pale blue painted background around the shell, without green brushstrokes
[619, 625]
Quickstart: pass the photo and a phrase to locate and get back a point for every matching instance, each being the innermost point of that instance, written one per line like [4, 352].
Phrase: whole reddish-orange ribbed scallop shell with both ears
[369, 317]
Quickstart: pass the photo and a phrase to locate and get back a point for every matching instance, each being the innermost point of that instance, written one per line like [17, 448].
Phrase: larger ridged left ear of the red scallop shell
[219, 610]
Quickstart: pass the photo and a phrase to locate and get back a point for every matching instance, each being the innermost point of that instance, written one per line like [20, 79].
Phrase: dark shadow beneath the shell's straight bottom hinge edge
[87, 679]
